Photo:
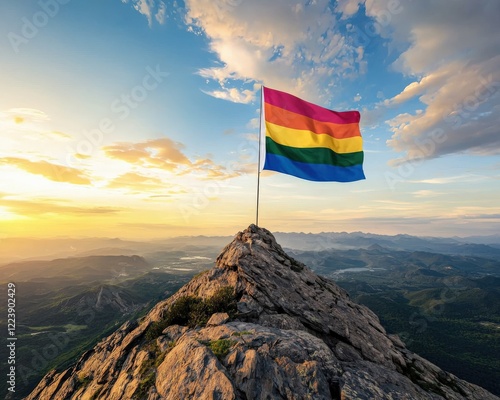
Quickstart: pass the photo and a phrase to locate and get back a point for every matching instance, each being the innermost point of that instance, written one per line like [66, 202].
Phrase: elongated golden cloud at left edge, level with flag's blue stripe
[54, 172]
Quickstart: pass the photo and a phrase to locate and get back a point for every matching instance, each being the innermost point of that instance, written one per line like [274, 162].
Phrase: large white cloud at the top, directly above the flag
[294, 47]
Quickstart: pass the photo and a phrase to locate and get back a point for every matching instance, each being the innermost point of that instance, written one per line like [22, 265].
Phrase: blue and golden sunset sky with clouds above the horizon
[139, 118]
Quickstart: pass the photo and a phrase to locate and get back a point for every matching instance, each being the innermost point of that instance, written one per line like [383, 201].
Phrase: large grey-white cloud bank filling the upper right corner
[452, 52]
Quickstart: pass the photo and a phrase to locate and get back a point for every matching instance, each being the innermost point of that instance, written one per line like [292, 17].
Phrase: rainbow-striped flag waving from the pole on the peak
[308, 141]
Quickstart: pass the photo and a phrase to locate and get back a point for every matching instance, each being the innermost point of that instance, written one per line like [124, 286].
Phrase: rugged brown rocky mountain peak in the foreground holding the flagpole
[258, 325]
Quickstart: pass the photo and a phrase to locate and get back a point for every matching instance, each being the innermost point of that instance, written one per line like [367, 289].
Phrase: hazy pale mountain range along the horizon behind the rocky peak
[17, 249]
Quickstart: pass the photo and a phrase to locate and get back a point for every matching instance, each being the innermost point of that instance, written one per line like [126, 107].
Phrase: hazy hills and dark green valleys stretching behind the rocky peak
[407, 280]
